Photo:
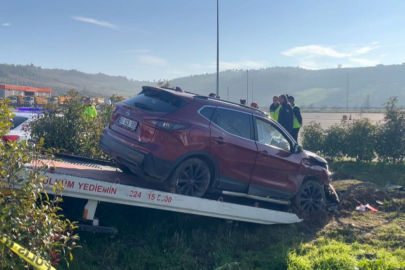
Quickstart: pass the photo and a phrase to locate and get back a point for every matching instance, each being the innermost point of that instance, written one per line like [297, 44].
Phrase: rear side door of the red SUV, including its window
[232, 145]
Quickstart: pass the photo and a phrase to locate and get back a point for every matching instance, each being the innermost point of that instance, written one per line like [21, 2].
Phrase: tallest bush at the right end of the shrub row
[390, 137]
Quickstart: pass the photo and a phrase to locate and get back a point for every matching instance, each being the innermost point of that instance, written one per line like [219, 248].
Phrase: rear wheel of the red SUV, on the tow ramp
[191, 177]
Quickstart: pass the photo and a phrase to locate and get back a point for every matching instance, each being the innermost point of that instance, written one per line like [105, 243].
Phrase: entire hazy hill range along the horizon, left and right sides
[317, 87]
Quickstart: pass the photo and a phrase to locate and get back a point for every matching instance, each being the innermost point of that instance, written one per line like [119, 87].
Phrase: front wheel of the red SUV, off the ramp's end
[310, 198]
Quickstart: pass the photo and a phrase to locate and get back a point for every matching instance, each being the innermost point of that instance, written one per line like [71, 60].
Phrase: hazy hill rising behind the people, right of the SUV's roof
[317, 87]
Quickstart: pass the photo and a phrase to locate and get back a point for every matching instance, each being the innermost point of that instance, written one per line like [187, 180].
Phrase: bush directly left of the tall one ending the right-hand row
[360, 138]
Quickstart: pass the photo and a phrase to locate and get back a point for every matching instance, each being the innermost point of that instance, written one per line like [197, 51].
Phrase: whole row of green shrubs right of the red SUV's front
[361, 139]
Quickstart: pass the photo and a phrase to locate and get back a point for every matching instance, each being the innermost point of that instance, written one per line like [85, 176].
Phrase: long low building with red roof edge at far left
[26, 91]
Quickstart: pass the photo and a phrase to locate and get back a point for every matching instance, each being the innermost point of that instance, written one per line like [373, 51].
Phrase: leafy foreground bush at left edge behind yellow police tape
[28, 216]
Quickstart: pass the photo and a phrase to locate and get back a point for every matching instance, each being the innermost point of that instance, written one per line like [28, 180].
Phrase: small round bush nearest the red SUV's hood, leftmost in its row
[313, 137]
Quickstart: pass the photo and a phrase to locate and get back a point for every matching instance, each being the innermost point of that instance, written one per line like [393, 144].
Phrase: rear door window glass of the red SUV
[234, 122]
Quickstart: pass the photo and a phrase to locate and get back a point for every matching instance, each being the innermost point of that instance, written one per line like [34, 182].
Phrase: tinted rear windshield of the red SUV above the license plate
[155, 101]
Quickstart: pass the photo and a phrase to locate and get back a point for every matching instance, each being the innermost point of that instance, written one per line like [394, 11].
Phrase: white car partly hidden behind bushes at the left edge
[19, 130]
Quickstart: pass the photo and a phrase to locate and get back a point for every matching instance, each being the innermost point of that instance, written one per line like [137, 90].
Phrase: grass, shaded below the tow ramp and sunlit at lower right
[153, 239]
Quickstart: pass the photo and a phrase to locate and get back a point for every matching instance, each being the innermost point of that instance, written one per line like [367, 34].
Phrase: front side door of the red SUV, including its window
[276, 172]
